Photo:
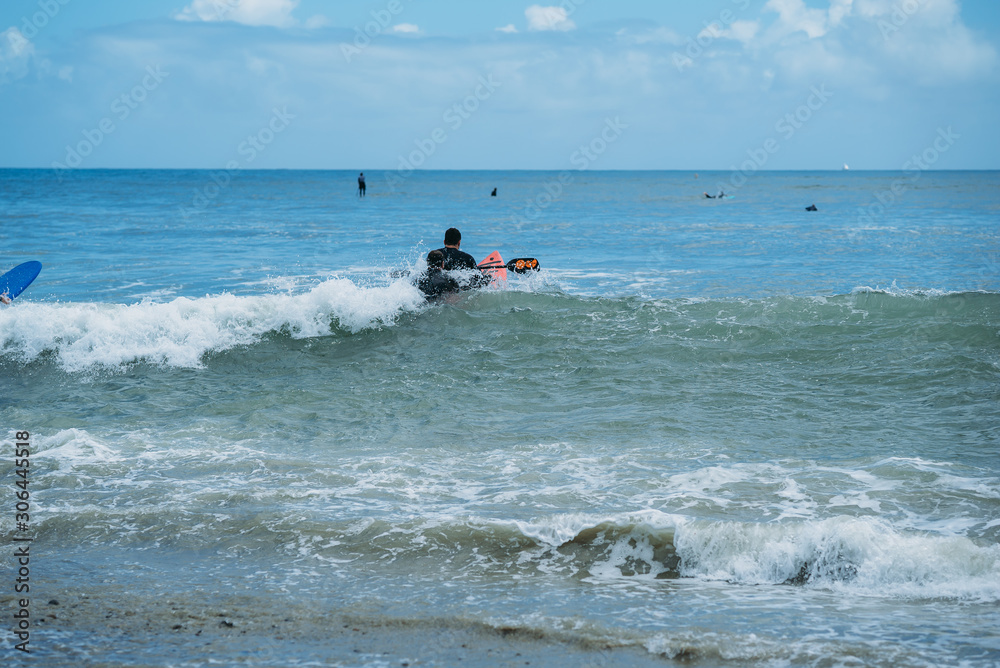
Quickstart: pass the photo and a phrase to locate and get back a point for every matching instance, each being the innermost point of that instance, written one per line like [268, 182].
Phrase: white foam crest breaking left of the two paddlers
[180, 332]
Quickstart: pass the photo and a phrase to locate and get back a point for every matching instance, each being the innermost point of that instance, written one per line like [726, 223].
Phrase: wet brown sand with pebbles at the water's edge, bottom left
[101, 631]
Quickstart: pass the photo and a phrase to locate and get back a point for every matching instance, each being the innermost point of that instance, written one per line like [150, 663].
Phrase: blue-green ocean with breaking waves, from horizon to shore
[709, 432]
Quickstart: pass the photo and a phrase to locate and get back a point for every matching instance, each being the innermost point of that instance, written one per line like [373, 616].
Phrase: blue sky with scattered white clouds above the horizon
[505, 84]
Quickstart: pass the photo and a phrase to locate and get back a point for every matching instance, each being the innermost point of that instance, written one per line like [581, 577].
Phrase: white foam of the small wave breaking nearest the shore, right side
[863, 555]
